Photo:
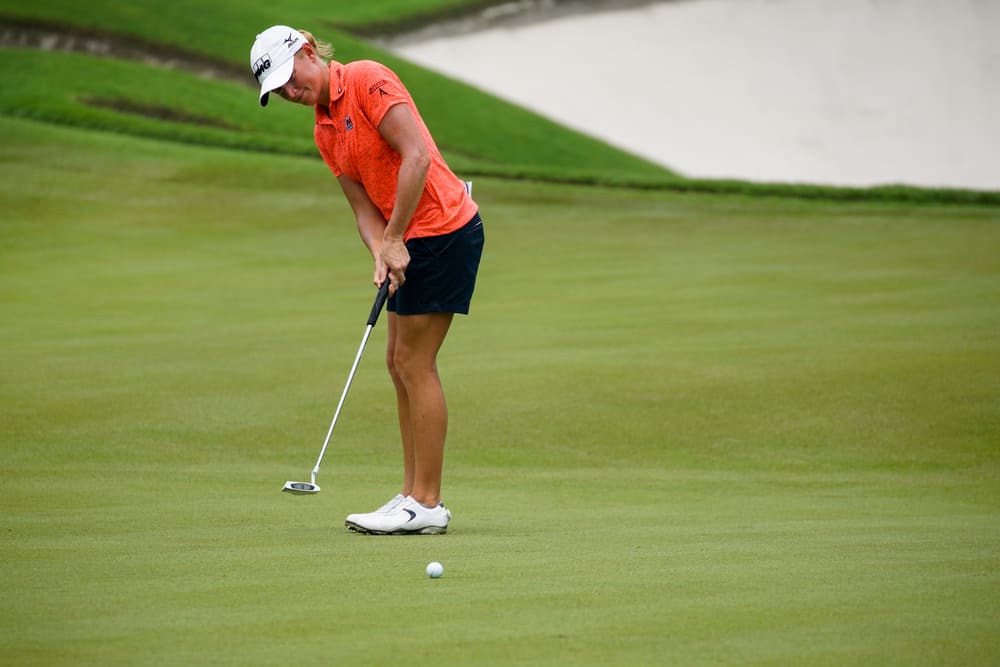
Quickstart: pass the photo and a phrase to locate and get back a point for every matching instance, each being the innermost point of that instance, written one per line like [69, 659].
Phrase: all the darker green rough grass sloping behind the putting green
[479, 134]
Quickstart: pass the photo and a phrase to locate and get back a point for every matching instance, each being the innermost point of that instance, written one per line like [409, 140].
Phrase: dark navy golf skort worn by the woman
[442, 272]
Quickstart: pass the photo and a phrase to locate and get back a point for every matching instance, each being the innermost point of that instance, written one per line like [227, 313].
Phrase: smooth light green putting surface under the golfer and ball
[685, 429]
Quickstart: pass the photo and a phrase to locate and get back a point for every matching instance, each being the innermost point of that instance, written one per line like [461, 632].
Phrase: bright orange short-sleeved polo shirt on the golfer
[348, 139]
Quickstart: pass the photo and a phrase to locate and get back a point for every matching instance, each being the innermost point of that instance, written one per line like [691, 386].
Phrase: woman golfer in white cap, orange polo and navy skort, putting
[421, 226]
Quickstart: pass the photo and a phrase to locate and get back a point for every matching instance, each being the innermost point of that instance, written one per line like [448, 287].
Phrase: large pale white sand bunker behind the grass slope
[852, 92]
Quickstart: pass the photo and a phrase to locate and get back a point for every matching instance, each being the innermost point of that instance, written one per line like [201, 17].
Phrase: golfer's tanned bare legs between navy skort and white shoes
[414, 341]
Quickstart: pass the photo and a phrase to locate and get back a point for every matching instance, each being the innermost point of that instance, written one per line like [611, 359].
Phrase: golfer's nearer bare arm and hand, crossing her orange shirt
[400, 129]
